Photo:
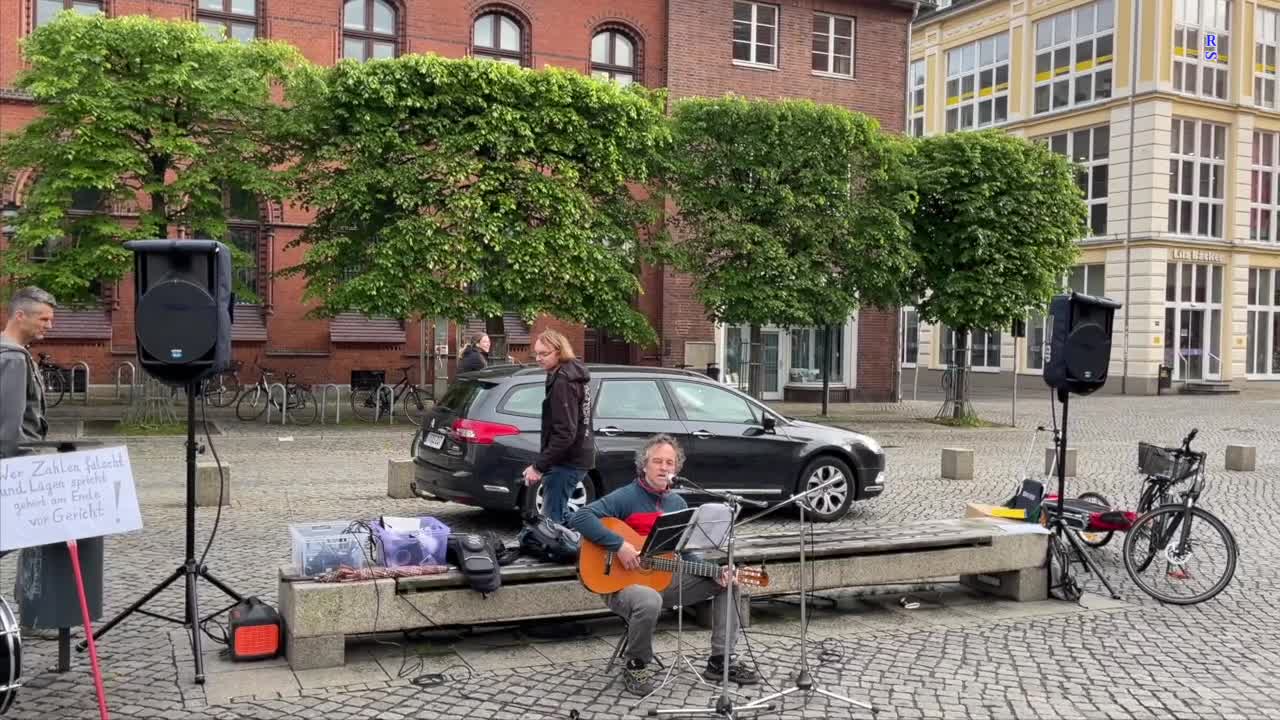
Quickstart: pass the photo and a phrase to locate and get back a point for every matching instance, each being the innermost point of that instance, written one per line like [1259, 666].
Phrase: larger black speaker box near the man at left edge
[182, 308]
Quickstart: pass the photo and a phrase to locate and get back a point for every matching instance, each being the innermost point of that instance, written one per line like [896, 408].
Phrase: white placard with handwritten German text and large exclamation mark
[57, 498]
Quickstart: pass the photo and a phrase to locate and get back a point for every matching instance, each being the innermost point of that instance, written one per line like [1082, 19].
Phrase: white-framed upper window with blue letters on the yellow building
[1194, 57]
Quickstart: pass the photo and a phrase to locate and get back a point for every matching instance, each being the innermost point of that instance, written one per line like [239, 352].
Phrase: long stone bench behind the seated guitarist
[982, 553]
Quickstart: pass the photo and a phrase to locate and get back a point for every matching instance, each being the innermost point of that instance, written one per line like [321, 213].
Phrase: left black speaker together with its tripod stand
[182, 321]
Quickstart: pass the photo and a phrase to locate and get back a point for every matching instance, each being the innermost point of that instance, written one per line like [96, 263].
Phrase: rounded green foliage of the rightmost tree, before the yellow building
[996, 227]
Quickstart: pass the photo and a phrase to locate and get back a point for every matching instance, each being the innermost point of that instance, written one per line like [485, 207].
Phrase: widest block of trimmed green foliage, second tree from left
[468, 188]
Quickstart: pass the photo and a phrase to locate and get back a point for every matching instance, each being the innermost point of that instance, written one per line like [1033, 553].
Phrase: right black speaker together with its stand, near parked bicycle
[1080, 356]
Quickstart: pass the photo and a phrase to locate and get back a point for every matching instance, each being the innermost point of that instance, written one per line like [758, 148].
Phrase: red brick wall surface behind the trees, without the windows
[684, 45]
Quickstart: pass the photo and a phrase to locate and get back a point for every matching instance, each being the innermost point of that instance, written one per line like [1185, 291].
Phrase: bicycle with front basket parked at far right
[1164, 528]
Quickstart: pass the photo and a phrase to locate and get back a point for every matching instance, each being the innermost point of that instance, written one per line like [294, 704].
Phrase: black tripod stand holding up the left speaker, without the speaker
[190, 571]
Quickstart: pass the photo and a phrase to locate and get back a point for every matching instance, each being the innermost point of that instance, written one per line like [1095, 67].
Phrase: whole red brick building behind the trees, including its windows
[845, 52]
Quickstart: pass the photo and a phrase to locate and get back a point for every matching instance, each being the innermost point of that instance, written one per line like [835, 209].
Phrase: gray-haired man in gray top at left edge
[22, 395]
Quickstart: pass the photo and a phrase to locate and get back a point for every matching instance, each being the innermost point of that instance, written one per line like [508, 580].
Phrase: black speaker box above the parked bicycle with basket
[1081, 343]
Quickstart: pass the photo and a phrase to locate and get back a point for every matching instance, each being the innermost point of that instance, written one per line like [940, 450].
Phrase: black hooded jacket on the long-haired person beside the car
[568, 420]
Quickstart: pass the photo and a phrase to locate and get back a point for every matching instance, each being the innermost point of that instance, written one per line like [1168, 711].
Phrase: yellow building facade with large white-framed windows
[1172, 110]
